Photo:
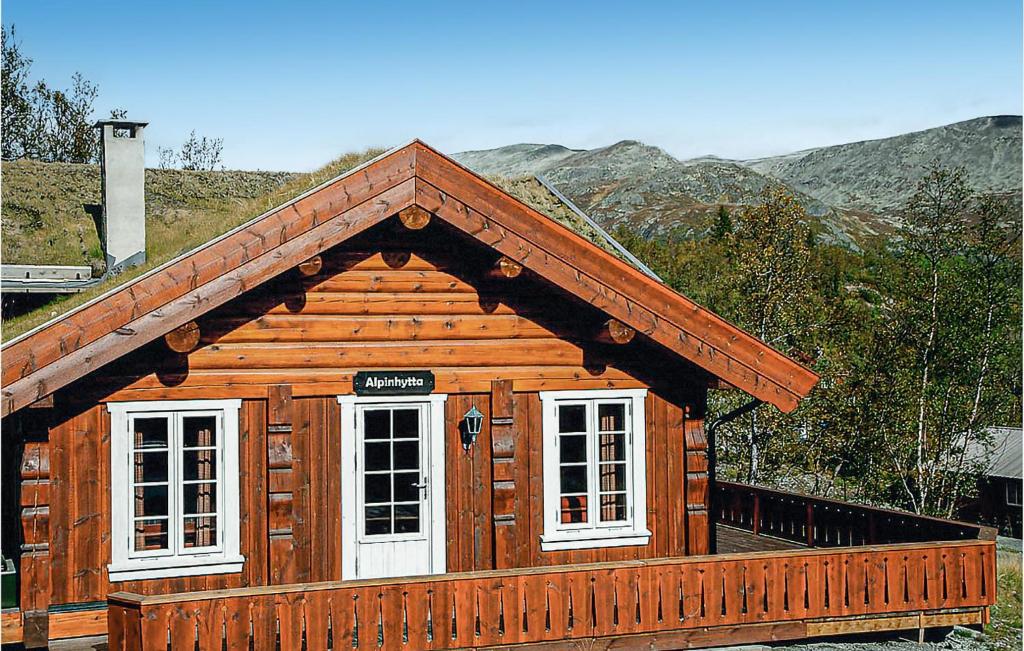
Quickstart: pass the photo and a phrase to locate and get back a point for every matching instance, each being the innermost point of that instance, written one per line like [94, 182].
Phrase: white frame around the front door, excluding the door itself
[436, 443]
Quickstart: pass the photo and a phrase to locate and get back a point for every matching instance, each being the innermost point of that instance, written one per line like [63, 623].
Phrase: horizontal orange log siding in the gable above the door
[387, 308]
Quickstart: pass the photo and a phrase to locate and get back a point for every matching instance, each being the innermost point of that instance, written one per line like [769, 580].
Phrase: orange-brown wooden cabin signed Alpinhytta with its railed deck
[406, 411]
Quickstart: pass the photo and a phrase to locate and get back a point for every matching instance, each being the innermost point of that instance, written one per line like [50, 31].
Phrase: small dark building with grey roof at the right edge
[999, 502]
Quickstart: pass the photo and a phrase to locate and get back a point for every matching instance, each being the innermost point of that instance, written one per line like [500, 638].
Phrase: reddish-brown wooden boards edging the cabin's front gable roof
[66, 350]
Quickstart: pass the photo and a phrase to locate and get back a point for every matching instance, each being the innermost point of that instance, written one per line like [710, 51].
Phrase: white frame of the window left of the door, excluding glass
[222, 558]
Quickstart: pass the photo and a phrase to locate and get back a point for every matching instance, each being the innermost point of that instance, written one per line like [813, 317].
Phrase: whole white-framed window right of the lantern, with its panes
[595, 482]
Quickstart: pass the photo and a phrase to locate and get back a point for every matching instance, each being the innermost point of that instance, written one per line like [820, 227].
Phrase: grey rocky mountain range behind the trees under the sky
[855, 191]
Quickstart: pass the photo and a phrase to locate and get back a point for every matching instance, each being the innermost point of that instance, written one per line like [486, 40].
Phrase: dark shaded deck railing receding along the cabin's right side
[821, 523]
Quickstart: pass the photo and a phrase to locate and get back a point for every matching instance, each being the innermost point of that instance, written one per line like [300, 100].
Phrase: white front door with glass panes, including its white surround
[393, 488]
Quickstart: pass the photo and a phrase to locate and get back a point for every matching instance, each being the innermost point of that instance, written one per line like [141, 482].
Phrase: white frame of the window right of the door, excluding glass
[594, 534]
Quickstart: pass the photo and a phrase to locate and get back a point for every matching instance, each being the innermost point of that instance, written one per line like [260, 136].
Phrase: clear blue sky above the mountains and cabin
[290, 85]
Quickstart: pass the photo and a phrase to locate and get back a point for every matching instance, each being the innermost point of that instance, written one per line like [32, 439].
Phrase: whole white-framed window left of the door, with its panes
[175, 489]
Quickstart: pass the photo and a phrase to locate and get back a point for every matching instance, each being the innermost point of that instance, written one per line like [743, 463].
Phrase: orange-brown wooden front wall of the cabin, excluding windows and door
[290, 348]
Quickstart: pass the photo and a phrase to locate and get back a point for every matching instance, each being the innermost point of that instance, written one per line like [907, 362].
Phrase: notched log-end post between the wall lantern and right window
[503, 494]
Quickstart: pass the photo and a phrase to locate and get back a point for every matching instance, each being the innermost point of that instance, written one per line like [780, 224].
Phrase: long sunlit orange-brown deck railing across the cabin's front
[565, 603]
